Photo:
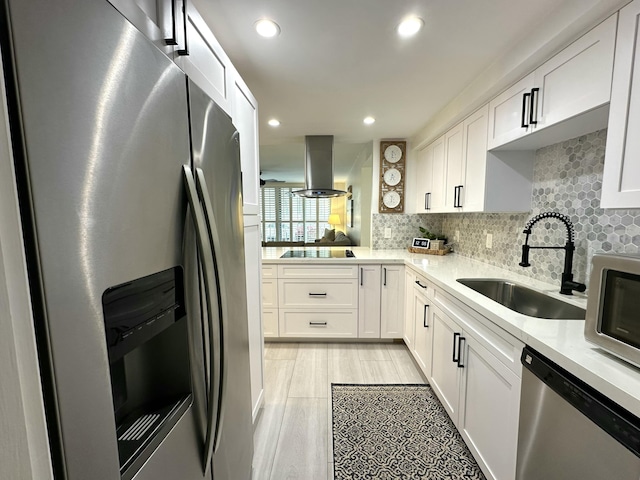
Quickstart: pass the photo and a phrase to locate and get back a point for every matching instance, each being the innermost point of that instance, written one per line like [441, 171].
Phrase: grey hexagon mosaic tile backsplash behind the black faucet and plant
[567, 179]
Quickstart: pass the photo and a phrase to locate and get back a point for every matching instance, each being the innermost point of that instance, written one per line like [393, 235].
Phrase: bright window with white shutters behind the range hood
[290, 218]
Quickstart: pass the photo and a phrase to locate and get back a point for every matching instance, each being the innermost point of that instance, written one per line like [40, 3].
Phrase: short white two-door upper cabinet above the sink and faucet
[570, 85]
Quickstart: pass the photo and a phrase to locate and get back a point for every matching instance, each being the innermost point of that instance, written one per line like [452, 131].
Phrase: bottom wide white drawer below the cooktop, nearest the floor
[301, 323]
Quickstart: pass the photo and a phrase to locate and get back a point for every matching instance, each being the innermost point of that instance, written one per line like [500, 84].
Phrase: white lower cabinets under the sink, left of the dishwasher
[474, 369]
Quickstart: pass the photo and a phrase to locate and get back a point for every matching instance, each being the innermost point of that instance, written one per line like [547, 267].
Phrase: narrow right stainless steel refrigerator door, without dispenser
[216, 152]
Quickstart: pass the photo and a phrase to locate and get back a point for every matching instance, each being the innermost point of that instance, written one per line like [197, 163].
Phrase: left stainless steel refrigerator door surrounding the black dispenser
[100, 141]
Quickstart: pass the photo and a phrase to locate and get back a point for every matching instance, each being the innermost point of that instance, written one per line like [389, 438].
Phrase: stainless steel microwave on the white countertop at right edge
[613, 305]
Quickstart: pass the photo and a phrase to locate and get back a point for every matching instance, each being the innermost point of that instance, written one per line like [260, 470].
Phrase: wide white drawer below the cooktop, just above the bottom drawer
[318, 293]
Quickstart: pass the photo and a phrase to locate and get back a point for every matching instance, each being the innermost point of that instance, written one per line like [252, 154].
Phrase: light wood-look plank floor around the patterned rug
[293, 436]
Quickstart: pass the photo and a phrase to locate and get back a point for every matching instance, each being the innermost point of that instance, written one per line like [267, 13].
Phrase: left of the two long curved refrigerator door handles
[206, 255]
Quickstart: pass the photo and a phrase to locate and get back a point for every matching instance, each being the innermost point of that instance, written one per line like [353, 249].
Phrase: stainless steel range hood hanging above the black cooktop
[318, 168]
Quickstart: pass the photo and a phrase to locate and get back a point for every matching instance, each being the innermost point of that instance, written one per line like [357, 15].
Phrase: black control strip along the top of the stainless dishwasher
[608, 415]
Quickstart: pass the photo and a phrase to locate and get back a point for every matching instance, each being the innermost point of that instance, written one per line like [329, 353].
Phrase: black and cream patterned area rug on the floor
[386, 432]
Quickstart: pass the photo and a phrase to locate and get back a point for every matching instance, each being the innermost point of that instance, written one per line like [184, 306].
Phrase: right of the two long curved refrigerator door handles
[214, 240]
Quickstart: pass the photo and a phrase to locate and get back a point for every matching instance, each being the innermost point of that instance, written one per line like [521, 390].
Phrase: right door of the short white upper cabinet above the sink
[565, 90]
